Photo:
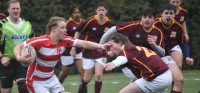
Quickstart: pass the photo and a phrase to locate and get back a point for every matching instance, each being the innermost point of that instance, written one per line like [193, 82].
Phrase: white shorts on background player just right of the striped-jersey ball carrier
[68, 60]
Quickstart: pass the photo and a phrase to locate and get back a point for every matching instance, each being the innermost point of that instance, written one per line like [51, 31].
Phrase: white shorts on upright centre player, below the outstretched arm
[89, 63]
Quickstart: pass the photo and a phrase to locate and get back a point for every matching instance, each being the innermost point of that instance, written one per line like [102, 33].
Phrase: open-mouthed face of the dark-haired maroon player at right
[167, 16]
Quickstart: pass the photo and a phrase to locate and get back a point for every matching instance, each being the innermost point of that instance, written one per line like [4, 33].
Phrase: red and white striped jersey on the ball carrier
[48, 55]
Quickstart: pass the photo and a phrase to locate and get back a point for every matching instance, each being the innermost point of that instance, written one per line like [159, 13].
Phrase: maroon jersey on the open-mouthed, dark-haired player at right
[173, 34]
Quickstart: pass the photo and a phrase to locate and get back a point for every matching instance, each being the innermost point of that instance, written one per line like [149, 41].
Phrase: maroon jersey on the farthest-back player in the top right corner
[181, 15]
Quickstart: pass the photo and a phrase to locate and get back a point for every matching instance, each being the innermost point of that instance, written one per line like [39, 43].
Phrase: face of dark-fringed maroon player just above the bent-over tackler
[147, 21]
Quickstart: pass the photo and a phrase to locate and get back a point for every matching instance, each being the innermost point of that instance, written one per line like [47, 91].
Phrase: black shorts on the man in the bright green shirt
[12, 72]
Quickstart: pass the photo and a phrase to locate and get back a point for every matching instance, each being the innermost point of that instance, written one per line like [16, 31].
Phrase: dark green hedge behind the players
[38, 13]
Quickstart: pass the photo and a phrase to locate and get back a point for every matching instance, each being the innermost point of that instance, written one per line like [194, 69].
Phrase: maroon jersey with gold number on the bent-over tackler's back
[143, 62]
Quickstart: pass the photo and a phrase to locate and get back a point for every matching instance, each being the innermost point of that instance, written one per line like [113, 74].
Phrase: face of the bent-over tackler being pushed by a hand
[115, 49]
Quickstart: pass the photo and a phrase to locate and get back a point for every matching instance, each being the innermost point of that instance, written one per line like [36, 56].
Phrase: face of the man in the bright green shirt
[14, 10]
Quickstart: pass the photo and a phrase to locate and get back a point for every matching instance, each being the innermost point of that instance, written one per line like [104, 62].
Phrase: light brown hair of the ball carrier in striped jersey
[53, 22]
